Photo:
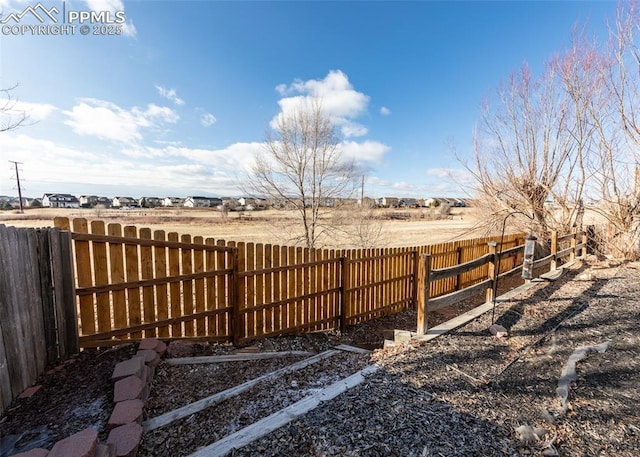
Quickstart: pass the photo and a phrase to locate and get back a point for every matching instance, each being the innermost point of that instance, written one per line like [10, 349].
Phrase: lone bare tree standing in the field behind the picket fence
[302, 165]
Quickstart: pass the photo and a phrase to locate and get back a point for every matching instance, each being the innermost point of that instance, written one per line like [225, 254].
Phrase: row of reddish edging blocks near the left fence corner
[132, 379]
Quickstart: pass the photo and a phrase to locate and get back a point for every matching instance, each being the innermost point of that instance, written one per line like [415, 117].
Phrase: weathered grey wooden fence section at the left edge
[37, 312]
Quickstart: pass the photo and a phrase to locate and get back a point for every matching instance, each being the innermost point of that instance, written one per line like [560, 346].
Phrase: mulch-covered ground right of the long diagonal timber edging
[469, 394]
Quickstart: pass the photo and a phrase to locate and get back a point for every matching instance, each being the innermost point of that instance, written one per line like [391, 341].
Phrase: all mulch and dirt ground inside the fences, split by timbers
[466, 393]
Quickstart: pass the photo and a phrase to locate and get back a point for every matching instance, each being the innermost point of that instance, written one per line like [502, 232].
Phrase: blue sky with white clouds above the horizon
[179, 102]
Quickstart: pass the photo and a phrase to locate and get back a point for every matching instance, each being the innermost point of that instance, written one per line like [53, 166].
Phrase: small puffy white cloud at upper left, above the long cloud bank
[106, 120]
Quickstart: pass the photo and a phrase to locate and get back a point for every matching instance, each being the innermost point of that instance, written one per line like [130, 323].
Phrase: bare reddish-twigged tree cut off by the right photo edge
[616, 167]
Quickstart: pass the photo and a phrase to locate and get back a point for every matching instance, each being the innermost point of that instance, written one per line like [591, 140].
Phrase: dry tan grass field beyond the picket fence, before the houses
[398, 227]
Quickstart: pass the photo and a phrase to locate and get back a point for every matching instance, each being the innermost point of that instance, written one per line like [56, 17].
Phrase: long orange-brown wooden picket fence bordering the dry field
[133, 283]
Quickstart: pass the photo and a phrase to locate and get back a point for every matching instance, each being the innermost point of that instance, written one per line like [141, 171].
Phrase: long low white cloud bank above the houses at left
[51, 167]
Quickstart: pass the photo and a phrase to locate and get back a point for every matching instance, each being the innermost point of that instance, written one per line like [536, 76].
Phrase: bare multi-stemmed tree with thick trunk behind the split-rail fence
[523, 150]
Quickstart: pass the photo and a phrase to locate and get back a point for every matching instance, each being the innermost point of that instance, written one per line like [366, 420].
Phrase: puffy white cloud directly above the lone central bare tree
[337, 96]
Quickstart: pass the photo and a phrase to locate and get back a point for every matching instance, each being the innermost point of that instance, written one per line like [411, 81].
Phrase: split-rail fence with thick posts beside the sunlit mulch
[499, 262]
